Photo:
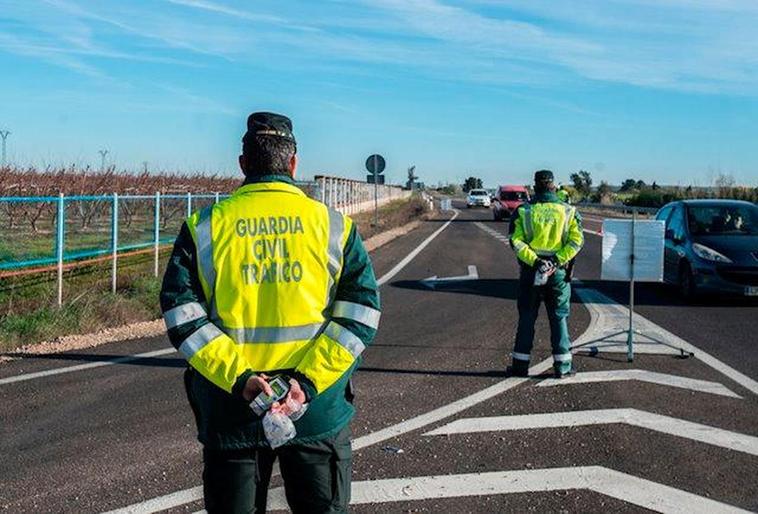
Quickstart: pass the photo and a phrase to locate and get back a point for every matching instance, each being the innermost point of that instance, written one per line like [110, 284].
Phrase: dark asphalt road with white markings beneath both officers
[682, 434]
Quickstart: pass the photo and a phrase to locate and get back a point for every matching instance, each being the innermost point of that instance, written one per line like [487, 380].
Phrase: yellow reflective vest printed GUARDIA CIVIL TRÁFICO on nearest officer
[269, 259]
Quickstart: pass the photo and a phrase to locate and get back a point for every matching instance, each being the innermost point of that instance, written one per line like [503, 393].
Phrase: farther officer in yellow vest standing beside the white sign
[545, 233]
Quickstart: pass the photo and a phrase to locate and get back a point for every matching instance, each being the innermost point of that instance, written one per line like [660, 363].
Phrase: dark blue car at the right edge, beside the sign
[711, 245]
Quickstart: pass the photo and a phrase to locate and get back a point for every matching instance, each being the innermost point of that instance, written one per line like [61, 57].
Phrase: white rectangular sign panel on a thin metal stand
[648, 250]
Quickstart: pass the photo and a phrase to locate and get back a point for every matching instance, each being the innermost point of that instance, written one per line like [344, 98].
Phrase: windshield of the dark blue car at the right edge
[709, 220]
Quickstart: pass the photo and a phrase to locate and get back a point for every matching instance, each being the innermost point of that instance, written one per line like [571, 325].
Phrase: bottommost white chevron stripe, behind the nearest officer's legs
[624, 487]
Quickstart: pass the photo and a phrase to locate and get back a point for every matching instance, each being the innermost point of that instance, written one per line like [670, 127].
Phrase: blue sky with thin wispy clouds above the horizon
[662, 90]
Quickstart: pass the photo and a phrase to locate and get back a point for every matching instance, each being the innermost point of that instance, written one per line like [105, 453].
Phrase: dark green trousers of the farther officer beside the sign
[556, 295]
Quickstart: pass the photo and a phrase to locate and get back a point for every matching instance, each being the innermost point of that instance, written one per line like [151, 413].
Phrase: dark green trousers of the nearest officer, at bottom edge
[316, 477]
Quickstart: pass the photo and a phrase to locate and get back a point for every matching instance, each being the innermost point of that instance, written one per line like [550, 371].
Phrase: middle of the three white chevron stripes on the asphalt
[634, 417]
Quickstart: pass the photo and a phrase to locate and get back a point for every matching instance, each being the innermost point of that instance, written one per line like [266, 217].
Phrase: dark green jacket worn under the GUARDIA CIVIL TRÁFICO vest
[225, 421]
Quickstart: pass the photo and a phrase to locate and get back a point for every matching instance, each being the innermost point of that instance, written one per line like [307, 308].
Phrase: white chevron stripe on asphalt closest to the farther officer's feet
[616, 375]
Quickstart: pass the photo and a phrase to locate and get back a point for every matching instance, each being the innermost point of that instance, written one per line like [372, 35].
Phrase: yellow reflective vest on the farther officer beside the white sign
[545, 229]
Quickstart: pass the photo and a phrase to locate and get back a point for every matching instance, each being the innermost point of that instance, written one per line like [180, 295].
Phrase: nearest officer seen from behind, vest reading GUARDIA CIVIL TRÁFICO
[270, 282]
